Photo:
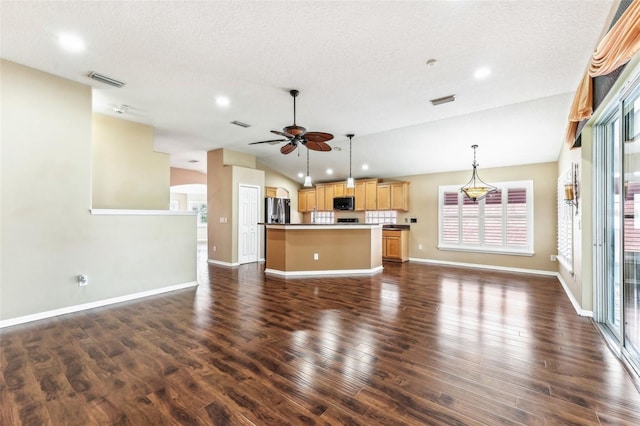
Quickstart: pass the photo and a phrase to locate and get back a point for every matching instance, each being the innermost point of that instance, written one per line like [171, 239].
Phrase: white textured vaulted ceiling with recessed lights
[359, 65]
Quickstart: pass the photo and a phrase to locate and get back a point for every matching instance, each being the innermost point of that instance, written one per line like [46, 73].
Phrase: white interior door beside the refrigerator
[248, 210]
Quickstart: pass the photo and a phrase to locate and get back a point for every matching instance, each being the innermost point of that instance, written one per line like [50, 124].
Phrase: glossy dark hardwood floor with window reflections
[416, 345]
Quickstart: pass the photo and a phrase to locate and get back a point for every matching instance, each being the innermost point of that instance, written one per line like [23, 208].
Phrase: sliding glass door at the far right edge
[617, 219]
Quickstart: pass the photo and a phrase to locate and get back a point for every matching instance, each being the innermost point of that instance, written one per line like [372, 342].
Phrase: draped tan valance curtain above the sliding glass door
[620, 44]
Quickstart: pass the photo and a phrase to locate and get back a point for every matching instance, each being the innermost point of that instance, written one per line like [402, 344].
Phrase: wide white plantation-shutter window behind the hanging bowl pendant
[500, 223]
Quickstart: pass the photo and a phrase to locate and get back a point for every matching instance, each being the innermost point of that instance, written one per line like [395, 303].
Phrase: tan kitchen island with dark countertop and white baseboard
[323, 249]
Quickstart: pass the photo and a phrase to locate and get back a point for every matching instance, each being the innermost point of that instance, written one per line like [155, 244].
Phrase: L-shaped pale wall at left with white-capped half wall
[48, 234]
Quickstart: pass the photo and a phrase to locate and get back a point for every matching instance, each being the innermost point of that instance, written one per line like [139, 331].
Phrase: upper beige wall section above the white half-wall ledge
[127, 173]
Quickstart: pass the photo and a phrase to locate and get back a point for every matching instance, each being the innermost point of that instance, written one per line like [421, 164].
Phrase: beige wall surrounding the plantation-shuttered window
[423, 204]
